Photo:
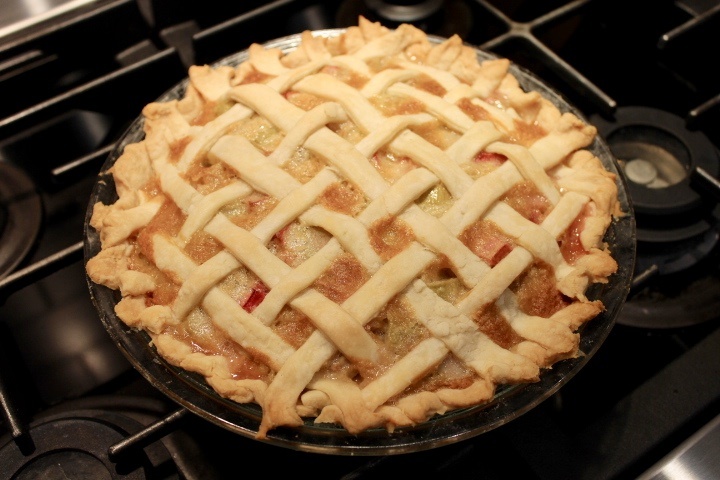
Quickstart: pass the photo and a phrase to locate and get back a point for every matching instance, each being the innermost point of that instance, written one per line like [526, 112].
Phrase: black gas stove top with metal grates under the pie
[73, 83]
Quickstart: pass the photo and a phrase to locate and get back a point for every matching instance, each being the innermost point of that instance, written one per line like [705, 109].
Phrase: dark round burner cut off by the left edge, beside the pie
[20, 217]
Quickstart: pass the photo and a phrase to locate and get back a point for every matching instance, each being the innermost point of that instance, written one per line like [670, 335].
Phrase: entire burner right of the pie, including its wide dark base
[678, 224]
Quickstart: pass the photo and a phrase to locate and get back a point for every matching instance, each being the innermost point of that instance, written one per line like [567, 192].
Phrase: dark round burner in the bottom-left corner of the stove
[76, 440]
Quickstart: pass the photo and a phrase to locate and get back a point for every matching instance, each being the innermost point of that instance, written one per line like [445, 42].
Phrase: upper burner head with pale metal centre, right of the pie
[658, 154]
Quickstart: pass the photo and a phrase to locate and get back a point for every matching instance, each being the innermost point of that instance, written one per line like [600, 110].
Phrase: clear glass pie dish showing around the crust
[192, 392]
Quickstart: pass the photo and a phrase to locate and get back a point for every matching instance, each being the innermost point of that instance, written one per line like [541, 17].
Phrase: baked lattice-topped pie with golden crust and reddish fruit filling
[368, 231]
